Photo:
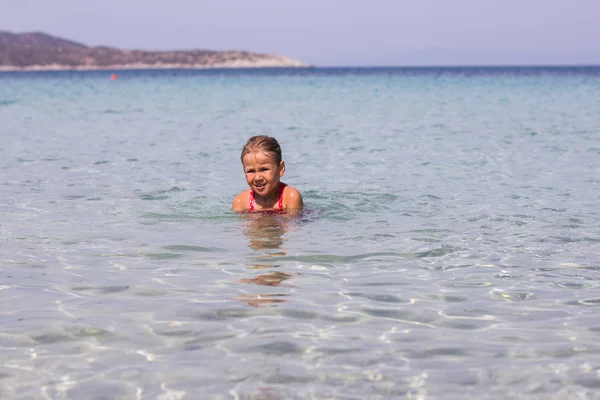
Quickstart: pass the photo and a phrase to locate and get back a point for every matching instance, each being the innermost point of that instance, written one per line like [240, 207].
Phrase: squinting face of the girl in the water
[262, 173]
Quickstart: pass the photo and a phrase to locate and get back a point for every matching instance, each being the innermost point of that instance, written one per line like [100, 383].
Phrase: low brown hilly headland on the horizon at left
[40, 51]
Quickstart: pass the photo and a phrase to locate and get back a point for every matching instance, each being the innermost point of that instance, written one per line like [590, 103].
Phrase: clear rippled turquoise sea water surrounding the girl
[449, 250]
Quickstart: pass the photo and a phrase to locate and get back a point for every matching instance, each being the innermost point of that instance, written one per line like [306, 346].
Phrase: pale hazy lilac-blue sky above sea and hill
[331, 32]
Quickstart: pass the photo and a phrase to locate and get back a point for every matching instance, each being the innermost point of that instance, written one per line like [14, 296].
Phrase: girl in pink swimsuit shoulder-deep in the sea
[263, 167]
